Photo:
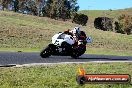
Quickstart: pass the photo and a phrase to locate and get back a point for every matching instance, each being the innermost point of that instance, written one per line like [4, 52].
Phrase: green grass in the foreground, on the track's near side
[60, 76]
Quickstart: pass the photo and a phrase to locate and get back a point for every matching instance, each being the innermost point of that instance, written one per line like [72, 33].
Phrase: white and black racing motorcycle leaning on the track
[64, 45]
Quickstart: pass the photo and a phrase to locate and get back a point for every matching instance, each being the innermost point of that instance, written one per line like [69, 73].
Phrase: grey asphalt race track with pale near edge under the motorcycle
[20, 58]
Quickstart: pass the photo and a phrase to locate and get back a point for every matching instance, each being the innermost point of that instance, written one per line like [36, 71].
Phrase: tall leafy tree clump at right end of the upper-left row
[60, 8]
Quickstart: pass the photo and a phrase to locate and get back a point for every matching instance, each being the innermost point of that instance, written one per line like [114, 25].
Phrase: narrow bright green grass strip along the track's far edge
[97, 51]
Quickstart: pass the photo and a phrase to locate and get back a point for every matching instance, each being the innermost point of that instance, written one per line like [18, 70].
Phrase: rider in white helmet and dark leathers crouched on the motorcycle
[79, 40]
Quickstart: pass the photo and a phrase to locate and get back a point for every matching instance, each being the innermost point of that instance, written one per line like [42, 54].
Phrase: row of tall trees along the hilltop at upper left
[57, 9]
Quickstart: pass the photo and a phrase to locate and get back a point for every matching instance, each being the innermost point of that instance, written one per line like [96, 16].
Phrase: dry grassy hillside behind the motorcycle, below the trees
[29, 33]
